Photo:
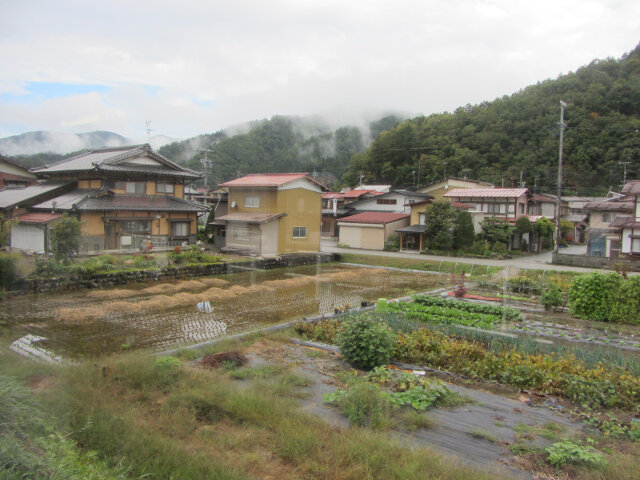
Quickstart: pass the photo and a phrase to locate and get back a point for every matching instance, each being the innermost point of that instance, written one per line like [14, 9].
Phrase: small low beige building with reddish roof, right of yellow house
[371, 230]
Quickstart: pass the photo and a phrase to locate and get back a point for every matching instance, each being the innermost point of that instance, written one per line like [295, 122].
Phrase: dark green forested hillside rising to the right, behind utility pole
[497, 140]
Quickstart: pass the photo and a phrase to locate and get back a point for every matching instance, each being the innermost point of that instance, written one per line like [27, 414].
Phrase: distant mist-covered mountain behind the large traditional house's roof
[31, 143]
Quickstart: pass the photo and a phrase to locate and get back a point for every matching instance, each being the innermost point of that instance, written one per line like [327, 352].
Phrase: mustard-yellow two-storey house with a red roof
[271, 214]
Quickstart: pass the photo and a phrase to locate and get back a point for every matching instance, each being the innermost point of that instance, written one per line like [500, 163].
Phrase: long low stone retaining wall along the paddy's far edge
[172, 271]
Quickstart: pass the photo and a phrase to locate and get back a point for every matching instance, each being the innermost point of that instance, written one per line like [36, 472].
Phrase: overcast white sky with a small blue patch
[196, 67]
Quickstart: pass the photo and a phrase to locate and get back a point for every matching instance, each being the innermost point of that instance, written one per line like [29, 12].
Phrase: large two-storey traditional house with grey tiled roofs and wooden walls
[125, 197]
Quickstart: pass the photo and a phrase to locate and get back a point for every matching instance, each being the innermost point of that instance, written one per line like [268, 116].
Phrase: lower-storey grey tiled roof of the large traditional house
[103, 200]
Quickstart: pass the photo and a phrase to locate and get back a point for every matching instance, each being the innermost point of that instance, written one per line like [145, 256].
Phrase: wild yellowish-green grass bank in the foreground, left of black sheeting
[176, 421]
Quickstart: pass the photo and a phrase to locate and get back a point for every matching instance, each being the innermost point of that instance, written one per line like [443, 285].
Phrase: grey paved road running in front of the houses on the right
[537, 262]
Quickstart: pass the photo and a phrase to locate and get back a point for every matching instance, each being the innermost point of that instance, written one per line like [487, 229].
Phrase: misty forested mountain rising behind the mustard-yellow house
[281, 144]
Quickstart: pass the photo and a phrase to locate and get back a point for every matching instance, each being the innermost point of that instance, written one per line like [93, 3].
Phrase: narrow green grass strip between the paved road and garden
[475, 271]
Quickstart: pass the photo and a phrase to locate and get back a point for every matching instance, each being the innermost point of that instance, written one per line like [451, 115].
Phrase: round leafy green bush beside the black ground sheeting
[366, 342]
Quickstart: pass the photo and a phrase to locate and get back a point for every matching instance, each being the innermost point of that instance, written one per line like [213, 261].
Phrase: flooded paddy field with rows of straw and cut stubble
[163, 314]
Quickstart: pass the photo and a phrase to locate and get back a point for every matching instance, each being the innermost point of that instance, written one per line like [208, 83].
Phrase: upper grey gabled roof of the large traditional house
[140, 159]
